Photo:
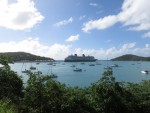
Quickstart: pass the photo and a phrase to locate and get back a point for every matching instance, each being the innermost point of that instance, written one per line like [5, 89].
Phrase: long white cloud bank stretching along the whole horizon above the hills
[60, 51]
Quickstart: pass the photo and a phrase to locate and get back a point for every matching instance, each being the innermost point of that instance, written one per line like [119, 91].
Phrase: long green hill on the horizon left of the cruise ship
[23, 56]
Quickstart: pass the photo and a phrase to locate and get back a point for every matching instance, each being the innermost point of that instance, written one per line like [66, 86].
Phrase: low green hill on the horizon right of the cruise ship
[130, 57]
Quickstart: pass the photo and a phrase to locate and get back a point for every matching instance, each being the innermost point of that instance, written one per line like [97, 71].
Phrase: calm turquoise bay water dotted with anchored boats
[127, 71]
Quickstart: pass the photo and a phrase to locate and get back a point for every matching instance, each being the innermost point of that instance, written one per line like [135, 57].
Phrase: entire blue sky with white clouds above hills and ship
[104, 29]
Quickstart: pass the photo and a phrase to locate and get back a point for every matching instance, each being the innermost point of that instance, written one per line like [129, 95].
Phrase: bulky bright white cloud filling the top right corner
[135, 14]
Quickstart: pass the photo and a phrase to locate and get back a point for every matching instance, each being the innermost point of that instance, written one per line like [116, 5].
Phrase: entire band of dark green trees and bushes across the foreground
[42, 94]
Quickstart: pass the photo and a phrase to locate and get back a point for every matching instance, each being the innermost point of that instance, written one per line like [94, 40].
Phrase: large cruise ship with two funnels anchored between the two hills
[83, 58]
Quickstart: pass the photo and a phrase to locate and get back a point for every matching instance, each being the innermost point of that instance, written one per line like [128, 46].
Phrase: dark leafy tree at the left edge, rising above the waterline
[11, 85]
